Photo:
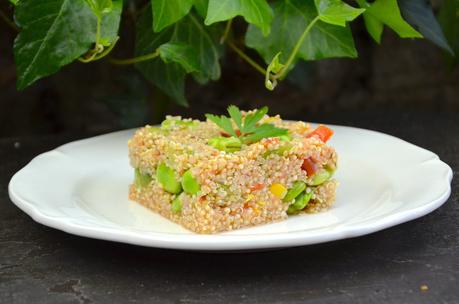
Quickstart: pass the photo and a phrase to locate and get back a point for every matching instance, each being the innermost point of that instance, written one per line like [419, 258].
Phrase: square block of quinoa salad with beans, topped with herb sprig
[235, 171]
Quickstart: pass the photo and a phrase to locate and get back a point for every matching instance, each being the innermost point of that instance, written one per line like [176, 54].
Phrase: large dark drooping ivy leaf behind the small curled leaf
[190, 31]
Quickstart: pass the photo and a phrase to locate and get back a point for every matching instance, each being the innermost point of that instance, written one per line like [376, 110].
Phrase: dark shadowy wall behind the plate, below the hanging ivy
[399, 75]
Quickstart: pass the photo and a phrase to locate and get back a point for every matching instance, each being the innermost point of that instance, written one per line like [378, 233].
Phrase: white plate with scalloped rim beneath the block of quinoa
[82, 188]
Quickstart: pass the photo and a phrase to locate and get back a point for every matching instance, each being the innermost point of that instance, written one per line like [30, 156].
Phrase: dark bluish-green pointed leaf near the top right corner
[420, 15]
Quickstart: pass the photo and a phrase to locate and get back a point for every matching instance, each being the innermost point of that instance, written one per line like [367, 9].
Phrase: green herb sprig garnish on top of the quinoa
[247, 128]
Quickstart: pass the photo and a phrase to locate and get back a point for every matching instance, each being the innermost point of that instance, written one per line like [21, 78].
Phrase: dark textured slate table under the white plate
[416, 262]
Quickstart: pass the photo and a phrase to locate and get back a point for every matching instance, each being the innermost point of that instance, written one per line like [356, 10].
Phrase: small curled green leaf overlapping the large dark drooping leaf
[180, 53]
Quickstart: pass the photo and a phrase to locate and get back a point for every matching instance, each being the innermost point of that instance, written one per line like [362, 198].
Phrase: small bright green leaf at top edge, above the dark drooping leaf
[168, 12]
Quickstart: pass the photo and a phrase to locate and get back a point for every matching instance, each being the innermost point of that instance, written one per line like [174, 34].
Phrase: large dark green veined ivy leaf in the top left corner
[53, 34]
